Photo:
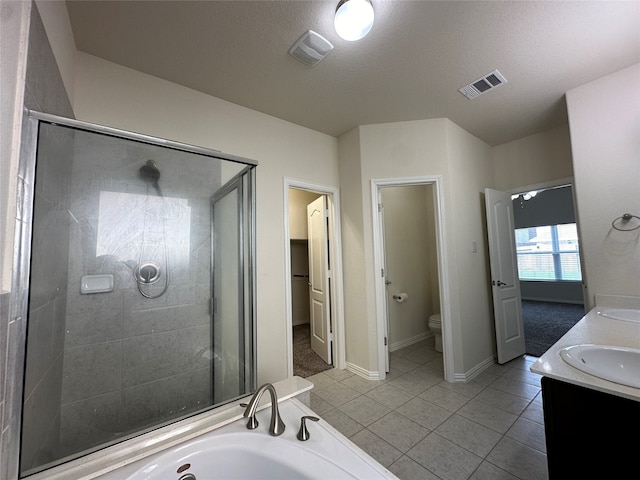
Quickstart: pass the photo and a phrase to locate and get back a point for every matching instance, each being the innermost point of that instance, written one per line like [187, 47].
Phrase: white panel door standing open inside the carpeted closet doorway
[319, 279]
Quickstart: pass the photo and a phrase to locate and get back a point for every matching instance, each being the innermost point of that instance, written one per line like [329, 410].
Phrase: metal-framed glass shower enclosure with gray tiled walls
[141, 286]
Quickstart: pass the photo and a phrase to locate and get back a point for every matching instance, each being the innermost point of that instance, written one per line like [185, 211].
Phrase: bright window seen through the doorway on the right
[549, 252]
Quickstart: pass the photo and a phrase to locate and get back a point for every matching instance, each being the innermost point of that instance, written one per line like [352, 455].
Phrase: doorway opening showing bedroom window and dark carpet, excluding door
[549, 263]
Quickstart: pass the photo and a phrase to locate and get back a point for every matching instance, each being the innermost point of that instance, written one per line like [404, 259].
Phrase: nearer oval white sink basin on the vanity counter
[616, 364]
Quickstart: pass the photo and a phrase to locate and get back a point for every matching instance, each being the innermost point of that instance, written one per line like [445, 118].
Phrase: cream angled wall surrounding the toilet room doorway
[418, 149]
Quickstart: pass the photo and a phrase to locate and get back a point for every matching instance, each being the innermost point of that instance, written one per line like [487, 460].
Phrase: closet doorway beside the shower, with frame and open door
[313, 278]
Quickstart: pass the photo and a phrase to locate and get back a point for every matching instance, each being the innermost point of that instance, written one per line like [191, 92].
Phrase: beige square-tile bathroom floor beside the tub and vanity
[421, 427]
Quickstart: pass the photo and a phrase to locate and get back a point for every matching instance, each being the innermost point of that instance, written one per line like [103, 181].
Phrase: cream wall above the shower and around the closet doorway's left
[108, 94]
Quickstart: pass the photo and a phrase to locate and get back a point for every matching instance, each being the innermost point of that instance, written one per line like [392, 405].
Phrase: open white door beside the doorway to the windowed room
[505, 285]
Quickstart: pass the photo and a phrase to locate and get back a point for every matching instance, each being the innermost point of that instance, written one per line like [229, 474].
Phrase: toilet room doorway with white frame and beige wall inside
[408, 287]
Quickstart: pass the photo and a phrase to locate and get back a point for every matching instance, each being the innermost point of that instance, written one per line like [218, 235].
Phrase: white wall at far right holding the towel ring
[604, 117]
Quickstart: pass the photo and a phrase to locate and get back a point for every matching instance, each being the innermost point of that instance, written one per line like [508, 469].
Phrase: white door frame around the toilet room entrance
[443, 267]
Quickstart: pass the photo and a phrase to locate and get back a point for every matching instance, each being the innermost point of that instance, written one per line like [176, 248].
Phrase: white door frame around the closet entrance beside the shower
[335, 251]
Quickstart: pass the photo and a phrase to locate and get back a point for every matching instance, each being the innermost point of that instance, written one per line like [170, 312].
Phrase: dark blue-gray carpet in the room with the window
[546, 322]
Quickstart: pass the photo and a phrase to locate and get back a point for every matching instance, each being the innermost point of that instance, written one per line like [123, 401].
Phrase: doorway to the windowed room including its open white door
[535, 264]
